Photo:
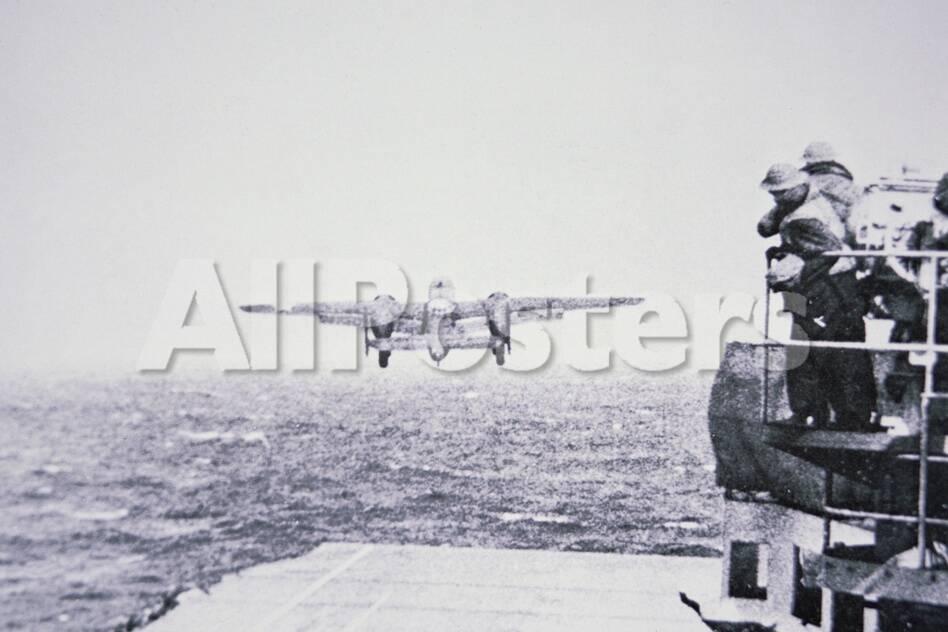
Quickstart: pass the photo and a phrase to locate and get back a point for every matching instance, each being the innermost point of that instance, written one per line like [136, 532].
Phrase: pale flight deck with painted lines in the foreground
[347, 587]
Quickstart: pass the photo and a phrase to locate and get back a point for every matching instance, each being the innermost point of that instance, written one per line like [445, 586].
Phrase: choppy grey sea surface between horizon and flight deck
[115, 493]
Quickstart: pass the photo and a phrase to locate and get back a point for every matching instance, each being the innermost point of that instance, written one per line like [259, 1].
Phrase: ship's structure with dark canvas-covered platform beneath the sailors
[843, 530]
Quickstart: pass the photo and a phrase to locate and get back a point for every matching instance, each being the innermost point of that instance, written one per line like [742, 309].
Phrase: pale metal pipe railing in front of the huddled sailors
[928, 395]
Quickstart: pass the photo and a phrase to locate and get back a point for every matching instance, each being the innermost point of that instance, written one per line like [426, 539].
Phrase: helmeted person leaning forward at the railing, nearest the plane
[837, 379]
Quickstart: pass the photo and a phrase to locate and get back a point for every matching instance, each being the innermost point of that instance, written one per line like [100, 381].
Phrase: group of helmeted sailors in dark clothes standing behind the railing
[813, 215]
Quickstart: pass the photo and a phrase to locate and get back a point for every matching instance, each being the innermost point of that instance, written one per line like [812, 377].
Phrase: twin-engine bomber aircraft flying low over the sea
[442, 323]
